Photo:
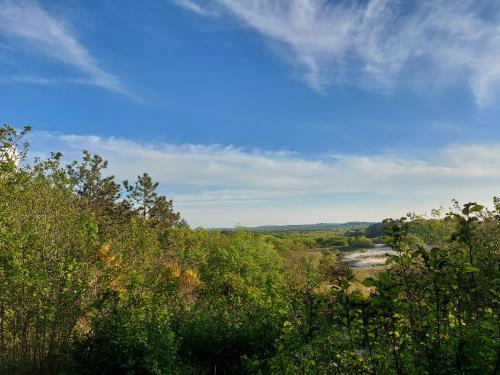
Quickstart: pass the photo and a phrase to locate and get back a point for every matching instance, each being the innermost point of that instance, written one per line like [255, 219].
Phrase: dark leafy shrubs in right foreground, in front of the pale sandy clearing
[434, 310]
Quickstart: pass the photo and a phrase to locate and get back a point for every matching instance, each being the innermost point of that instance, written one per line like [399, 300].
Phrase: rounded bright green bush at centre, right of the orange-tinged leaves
[242, 302]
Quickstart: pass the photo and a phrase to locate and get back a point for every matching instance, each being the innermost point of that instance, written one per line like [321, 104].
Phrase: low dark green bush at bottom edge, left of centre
[126, 338]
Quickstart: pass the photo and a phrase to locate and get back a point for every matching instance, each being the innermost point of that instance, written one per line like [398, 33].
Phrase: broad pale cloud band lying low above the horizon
[211, 183]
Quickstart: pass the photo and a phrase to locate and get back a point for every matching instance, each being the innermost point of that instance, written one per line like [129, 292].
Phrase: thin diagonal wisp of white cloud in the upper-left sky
[31, 29]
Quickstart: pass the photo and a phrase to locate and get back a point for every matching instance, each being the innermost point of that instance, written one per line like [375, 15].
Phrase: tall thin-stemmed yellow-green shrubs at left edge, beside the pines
[48, 272]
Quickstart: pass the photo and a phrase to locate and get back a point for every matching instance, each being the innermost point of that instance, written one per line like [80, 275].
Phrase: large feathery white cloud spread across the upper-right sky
[383, 43]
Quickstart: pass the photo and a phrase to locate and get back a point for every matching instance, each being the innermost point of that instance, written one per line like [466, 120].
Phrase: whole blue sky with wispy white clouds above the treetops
[266, 112]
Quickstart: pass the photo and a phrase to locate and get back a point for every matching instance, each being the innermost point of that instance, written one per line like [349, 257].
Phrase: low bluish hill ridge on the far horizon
[303, 227]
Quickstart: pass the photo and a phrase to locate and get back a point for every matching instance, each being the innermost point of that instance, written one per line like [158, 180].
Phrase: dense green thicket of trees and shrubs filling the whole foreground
[98, 277]
